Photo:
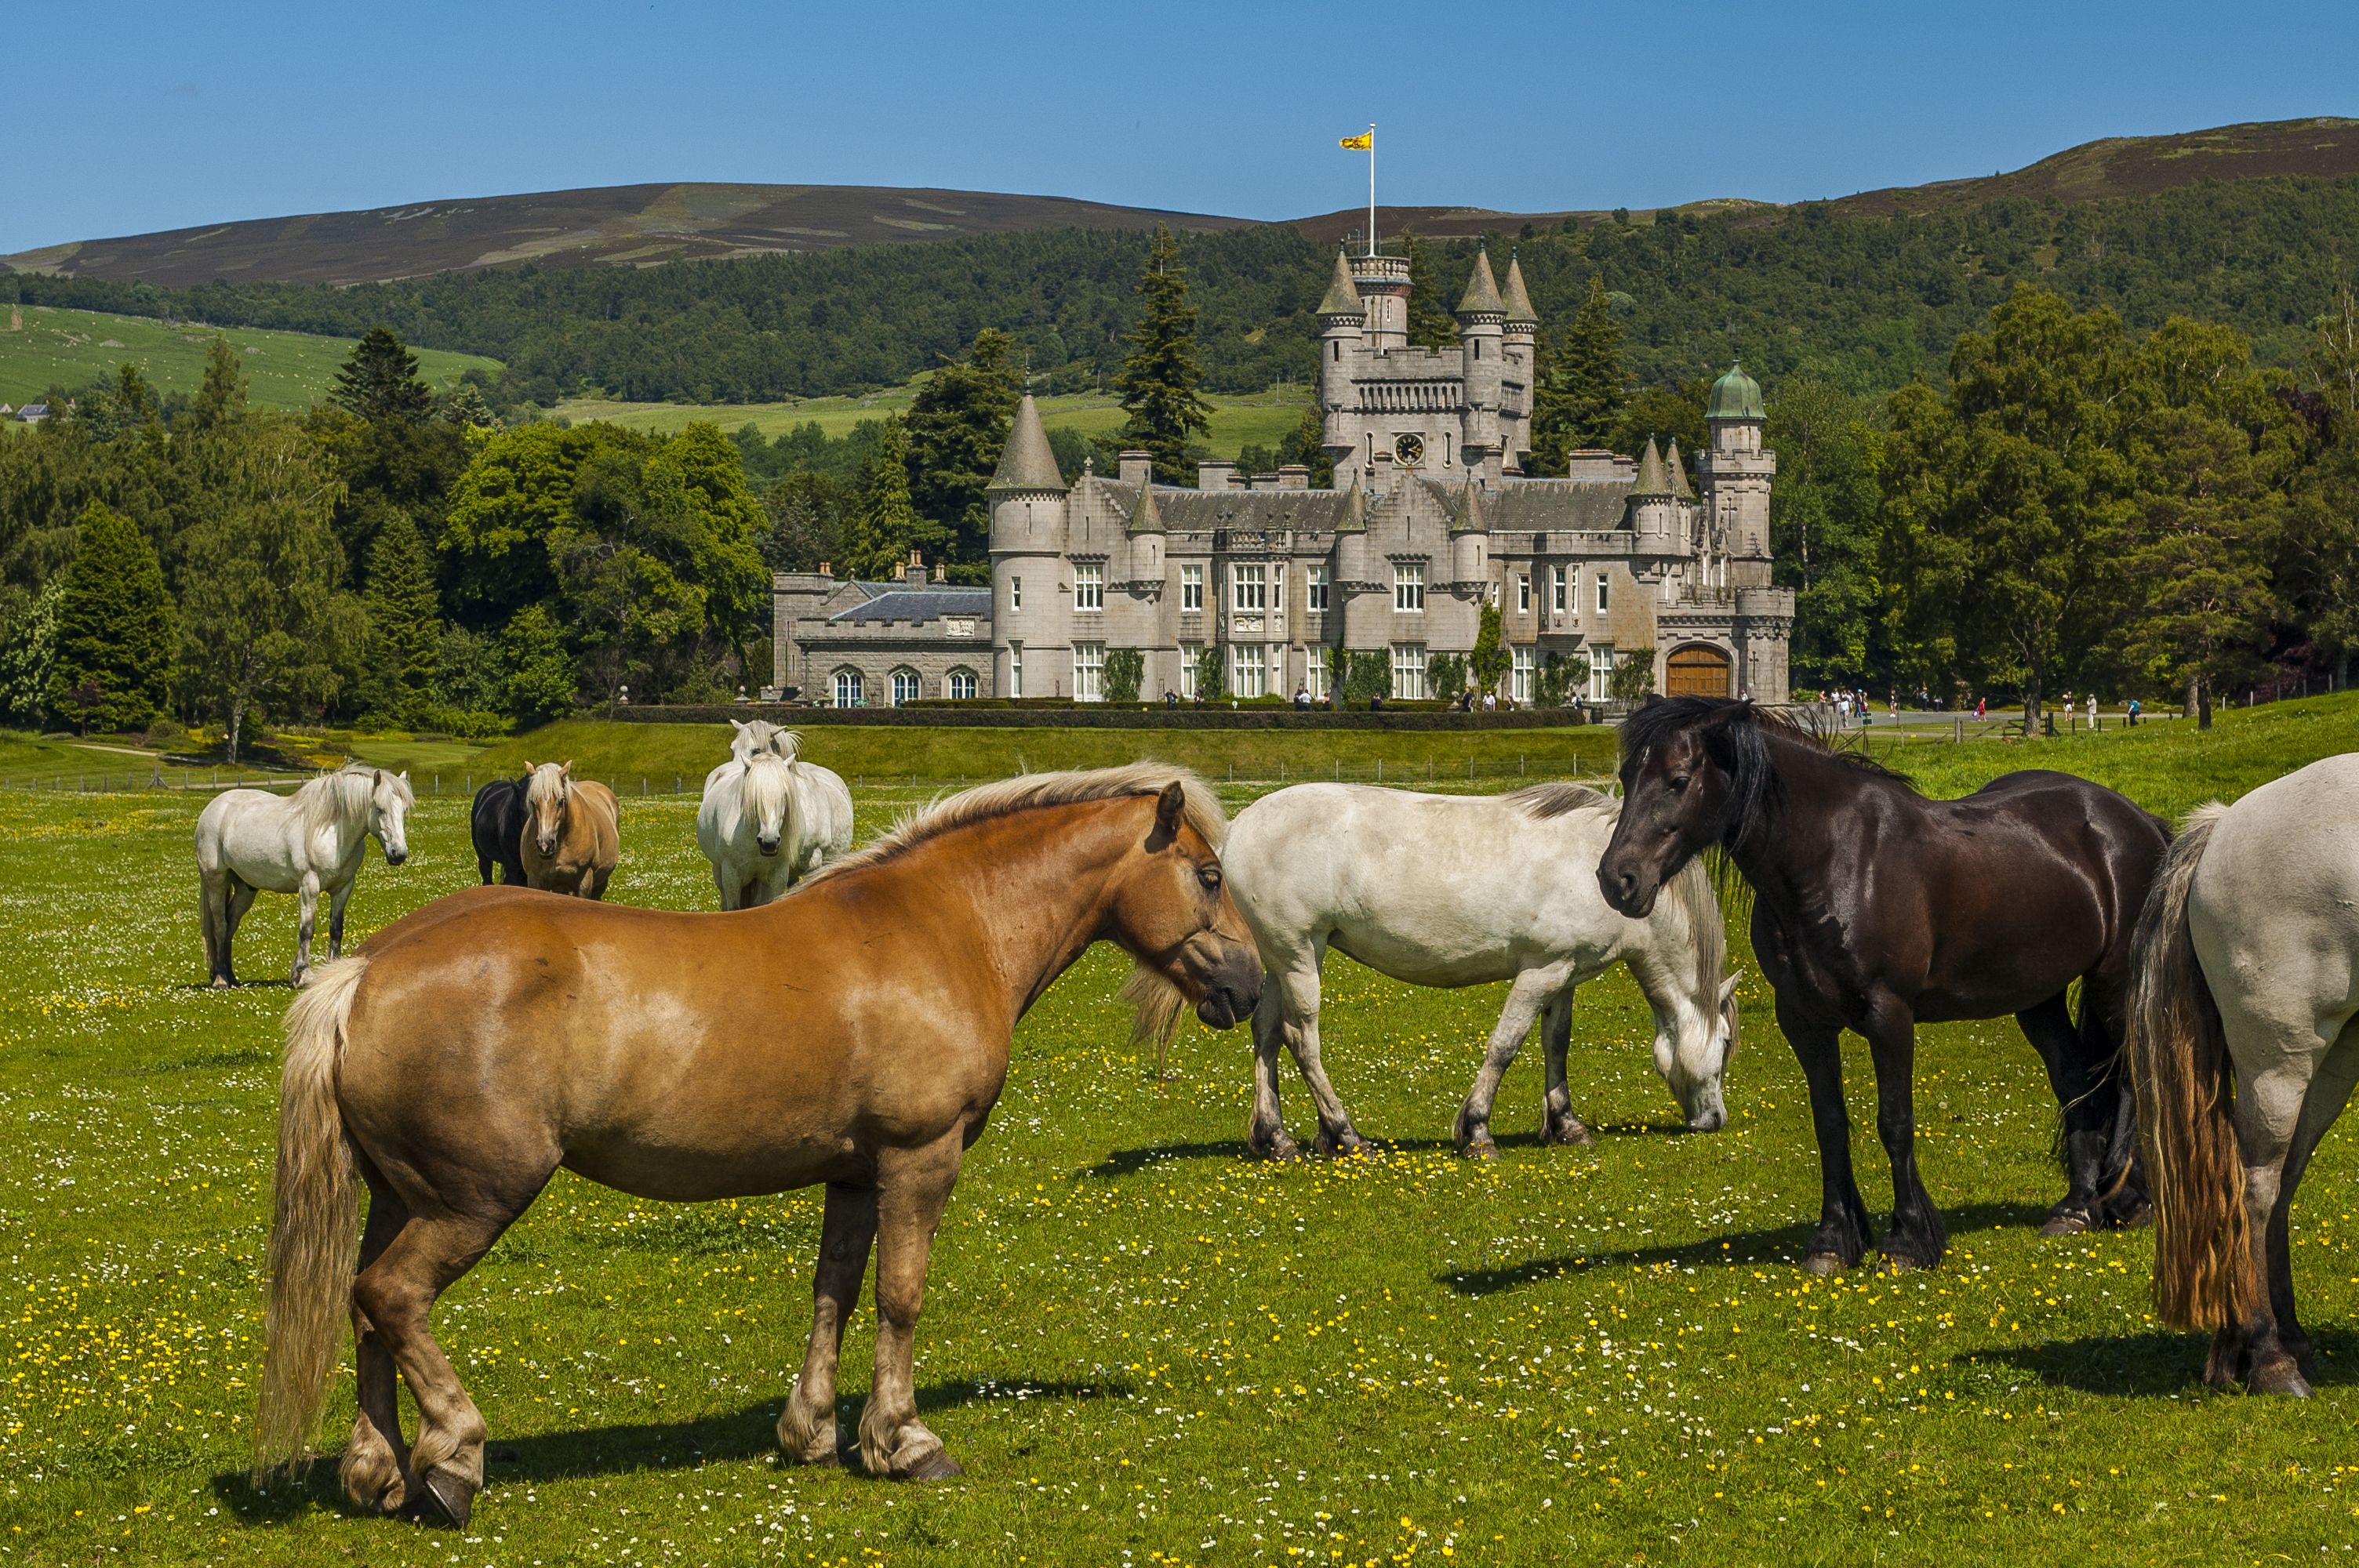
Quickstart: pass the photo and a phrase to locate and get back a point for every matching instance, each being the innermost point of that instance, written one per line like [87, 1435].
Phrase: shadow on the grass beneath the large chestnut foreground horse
[629, 1449]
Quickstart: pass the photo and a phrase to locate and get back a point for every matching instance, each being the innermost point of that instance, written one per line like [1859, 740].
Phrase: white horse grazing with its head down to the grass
[1459, 890]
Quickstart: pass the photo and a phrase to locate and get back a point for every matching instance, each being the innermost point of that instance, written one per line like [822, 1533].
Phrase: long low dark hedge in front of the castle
[1098, 716]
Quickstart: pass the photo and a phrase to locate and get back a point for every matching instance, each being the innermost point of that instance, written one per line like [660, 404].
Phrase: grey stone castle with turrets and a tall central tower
[1433, 515]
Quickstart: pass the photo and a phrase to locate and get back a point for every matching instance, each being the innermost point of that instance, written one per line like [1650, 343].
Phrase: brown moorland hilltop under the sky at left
[622, 225]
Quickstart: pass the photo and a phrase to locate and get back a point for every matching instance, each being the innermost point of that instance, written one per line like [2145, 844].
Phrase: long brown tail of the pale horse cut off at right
[2186, 1091]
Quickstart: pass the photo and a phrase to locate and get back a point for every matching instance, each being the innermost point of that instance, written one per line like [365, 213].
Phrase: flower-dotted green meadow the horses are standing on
[1143, 1348]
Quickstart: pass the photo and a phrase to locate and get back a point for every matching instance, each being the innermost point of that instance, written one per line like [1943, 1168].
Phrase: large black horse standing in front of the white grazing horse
[1877, 909]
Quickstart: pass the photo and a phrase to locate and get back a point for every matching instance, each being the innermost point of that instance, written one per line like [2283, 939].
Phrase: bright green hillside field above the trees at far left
[48, 348]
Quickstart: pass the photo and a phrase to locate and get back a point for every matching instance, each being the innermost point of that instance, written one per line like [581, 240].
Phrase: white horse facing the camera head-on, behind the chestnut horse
[770, 819]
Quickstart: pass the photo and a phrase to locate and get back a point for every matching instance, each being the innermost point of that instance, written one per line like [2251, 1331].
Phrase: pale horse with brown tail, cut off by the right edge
[2245, 1053]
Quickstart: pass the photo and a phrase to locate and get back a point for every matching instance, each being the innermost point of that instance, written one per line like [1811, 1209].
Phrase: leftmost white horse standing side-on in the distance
[298, 845]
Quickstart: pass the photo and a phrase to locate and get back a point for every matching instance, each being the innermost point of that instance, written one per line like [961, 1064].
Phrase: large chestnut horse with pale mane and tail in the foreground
[494, 1036]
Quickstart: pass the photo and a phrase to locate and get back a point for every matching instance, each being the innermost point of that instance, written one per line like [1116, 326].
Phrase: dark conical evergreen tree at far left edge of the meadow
[114, 628]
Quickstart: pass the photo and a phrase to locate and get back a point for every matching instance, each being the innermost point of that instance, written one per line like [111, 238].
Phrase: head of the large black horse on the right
[1695, 775]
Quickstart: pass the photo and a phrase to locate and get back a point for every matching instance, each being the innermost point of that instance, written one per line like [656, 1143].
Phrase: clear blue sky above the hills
[147, 117]
